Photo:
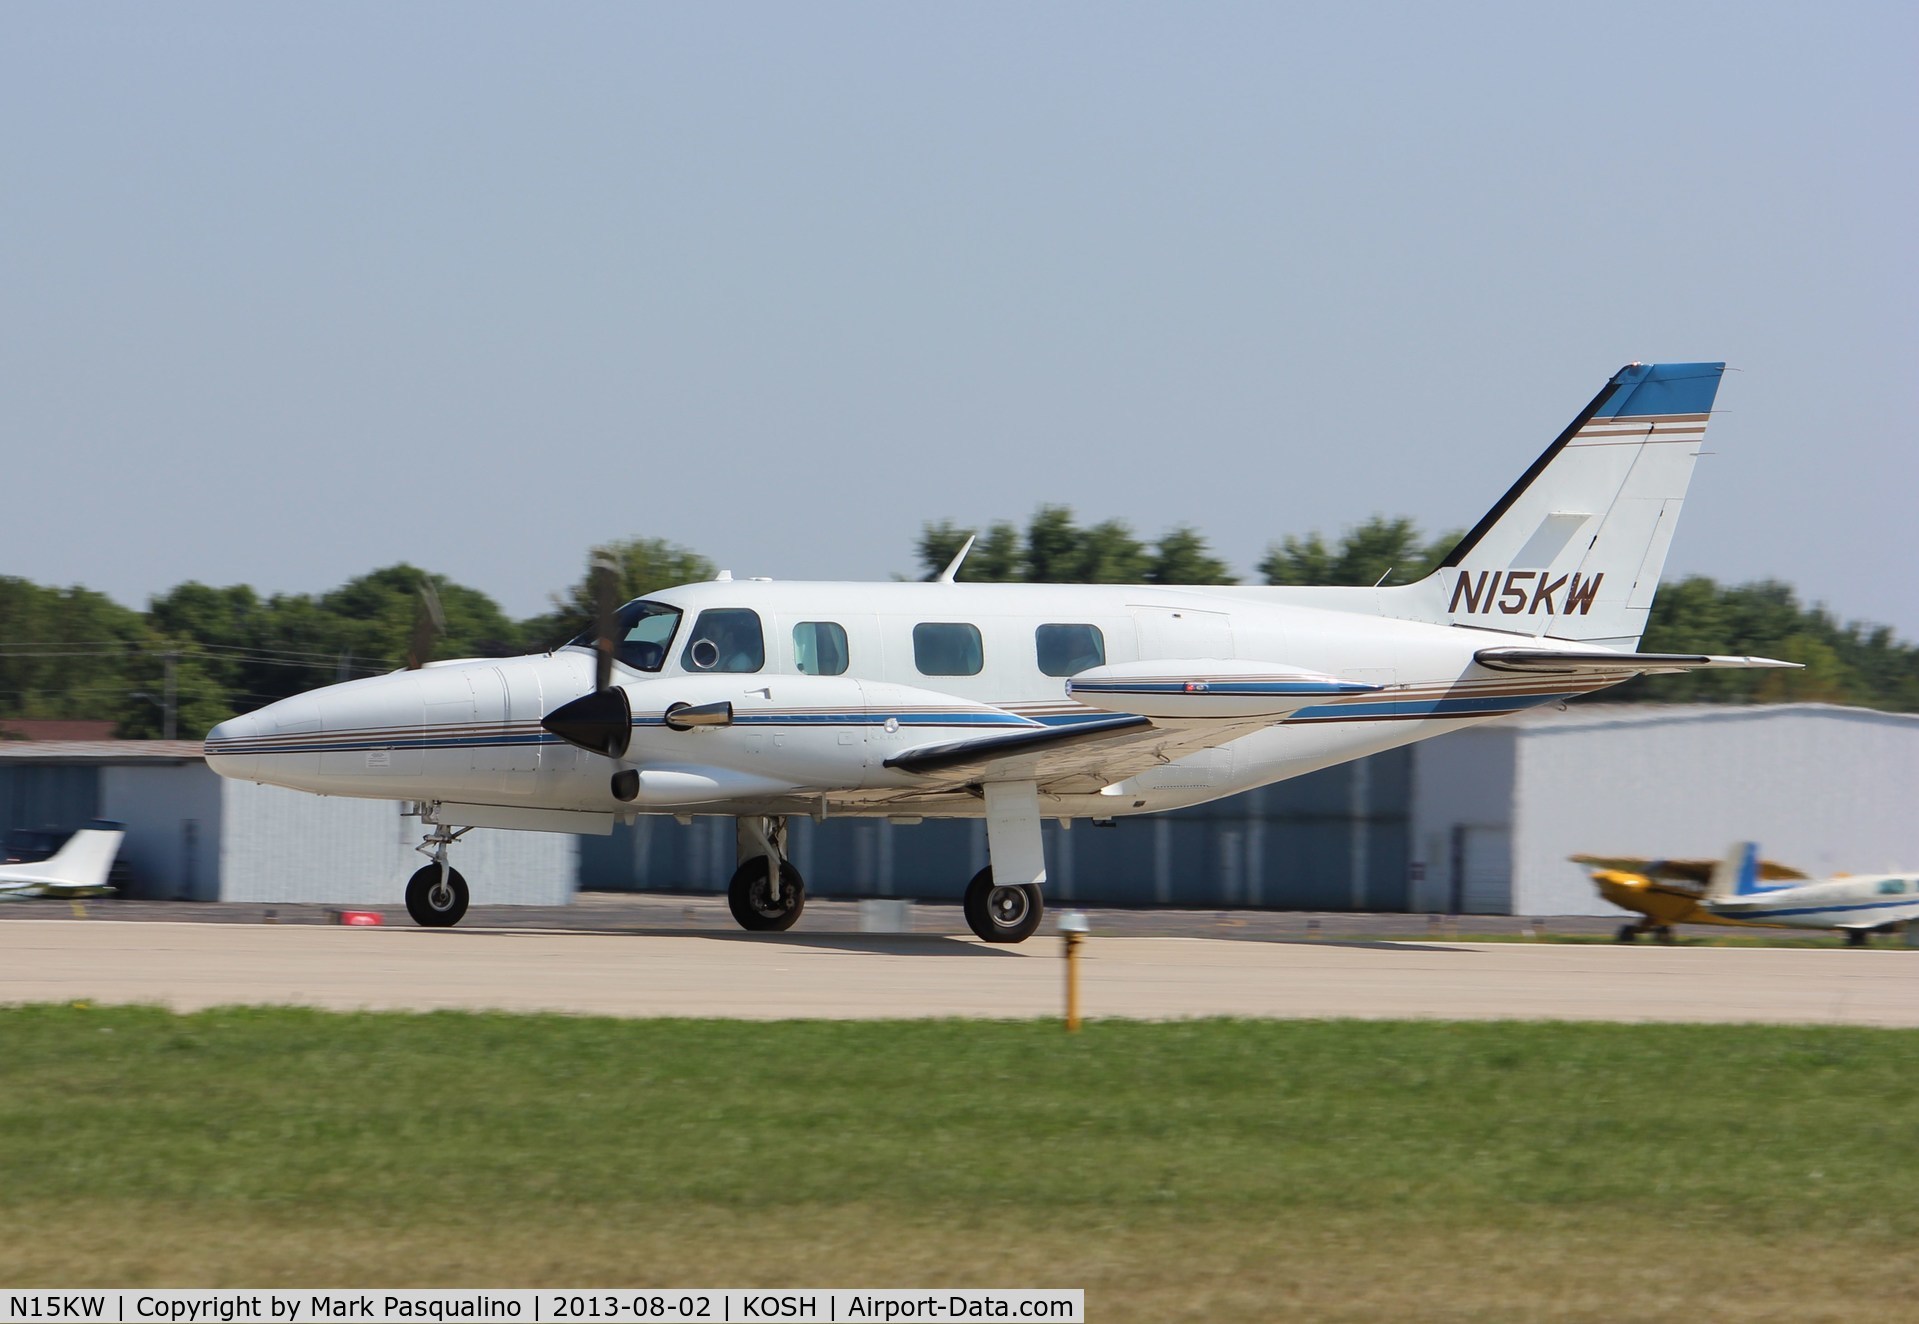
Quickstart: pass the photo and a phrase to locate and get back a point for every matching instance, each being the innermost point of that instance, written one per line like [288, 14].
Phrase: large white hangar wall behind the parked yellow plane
[1824, 790]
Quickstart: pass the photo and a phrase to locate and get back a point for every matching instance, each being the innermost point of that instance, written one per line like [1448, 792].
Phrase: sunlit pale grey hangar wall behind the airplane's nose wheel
[293, 847]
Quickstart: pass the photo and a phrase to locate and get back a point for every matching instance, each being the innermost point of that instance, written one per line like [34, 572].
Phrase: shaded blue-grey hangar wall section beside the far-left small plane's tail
[174, 828]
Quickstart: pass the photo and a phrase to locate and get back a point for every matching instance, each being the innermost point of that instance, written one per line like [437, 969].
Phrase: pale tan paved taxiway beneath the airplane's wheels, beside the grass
[191, 966]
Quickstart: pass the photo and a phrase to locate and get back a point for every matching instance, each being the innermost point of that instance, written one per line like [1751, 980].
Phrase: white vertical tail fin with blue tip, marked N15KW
[1576, 548]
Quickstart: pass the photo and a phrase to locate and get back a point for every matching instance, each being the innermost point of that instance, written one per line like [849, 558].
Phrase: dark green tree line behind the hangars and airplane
[201, 653]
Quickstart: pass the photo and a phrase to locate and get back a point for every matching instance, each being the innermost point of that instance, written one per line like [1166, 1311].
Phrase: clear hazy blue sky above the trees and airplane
[291, 293]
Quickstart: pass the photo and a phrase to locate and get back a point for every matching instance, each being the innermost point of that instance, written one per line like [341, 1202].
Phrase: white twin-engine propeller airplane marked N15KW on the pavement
[1010, 701]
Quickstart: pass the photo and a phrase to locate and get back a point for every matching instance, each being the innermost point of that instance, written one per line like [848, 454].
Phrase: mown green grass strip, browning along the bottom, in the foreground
[1206, 1170]
